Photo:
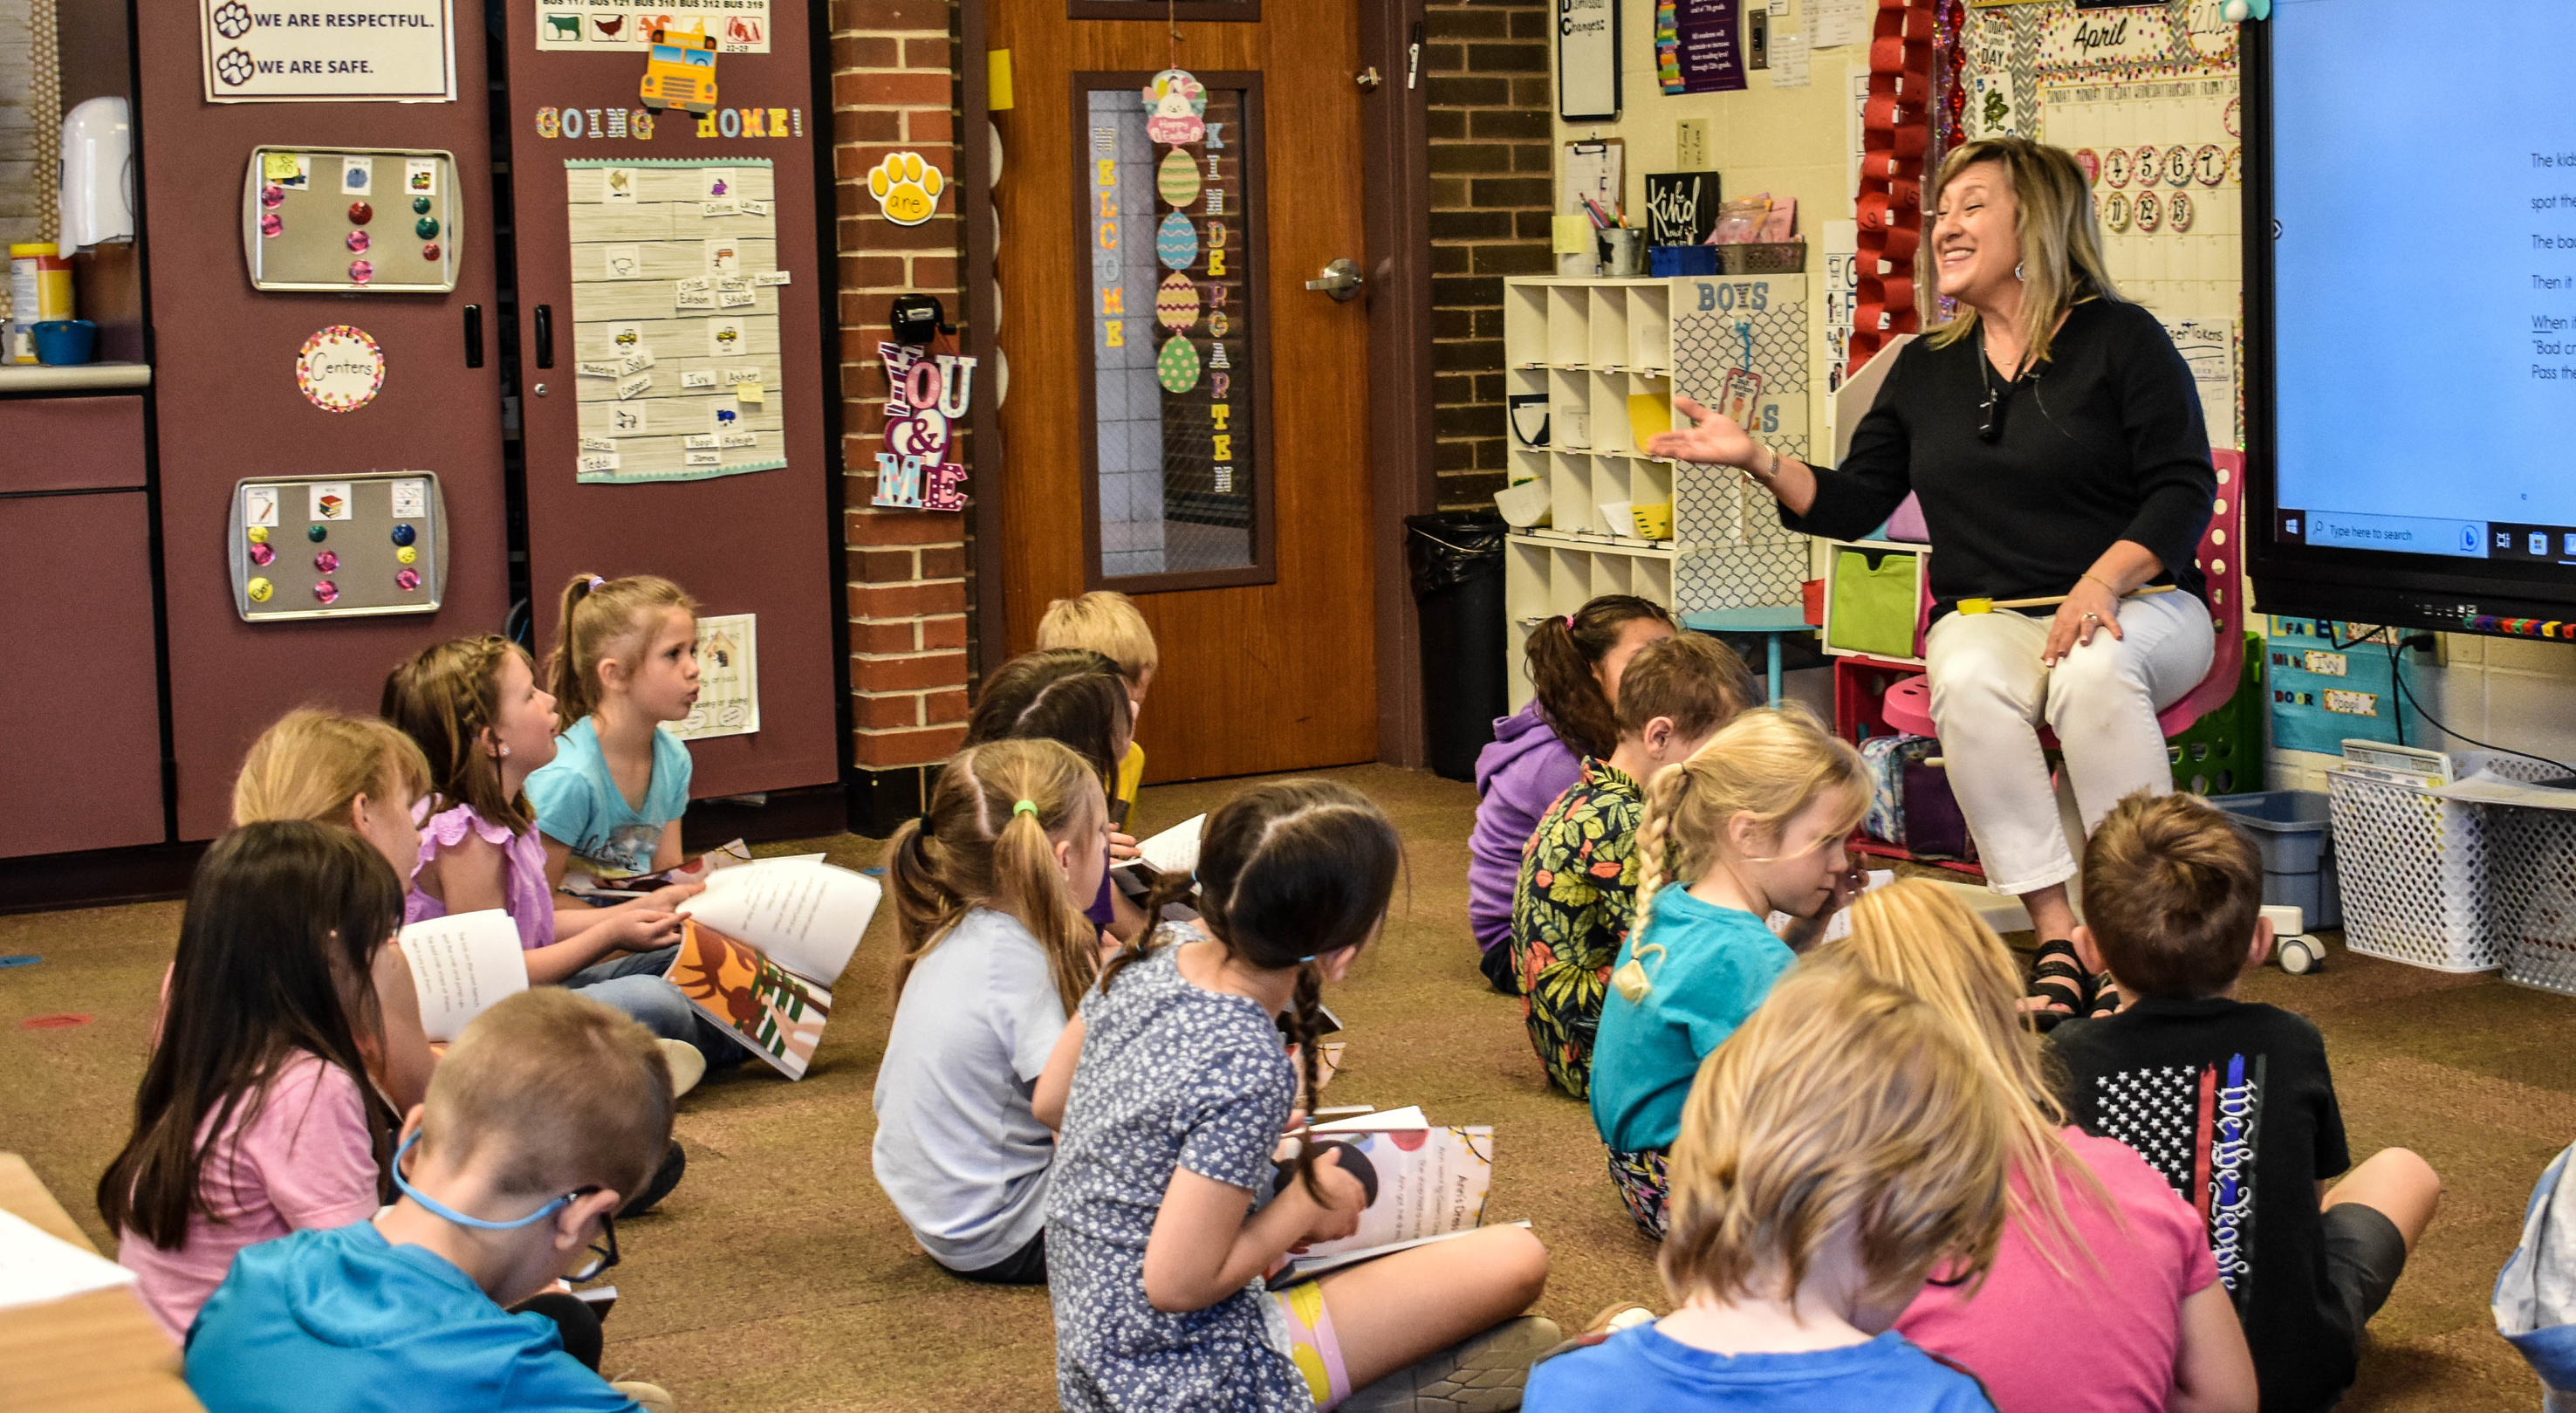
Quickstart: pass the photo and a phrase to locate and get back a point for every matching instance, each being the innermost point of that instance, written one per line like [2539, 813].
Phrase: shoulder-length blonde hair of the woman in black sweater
[2054, 223]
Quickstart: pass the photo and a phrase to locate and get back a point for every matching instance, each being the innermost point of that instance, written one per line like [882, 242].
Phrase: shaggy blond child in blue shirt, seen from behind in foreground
[1833, 1154]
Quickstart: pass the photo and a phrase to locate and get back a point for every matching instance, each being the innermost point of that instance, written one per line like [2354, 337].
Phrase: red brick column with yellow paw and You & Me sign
[895, 92]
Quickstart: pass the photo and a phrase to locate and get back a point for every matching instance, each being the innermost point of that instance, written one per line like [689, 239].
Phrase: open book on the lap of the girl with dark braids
[1423, 1182]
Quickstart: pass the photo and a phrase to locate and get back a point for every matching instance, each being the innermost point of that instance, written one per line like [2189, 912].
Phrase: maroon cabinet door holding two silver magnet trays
[228, 404]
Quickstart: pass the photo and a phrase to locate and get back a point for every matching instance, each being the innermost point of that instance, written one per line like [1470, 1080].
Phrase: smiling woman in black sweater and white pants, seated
[2054, 440]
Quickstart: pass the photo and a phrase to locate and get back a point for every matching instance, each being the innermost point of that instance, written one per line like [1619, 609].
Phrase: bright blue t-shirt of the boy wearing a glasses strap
[339, 1321]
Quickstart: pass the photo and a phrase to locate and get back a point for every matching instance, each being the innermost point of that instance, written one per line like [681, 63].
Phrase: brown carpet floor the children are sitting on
[782, 1280]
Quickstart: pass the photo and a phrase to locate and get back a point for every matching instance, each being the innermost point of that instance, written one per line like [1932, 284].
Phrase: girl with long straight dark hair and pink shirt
[256, 1115]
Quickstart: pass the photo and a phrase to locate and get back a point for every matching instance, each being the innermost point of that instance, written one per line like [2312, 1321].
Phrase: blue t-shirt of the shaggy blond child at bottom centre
[1645, 1368]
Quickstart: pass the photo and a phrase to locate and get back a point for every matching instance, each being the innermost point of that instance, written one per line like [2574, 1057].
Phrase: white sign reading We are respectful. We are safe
[328, 50]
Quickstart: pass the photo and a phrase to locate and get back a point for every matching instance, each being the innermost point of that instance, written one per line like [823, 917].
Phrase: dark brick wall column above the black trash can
[1493, 187]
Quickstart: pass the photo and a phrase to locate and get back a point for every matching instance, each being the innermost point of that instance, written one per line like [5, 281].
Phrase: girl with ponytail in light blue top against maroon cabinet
[625, 661]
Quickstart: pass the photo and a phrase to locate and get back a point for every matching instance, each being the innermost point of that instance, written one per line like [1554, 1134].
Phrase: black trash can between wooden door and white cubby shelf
[1457, 563]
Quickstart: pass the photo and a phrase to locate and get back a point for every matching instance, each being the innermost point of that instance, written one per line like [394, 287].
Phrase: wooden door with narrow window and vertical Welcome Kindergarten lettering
[1186, 422]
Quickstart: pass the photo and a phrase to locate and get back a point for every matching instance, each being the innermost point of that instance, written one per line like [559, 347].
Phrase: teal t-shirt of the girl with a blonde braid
[1712, 971]
